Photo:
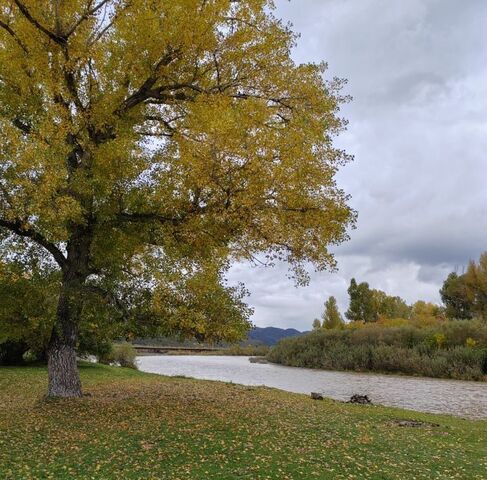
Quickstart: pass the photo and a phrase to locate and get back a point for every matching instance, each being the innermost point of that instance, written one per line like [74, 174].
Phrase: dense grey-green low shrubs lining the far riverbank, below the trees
[454, 349]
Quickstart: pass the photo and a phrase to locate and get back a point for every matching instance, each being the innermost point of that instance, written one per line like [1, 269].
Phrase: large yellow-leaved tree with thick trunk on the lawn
[146, 135]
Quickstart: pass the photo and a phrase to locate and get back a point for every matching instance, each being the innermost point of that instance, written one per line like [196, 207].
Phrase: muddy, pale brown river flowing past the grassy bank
[455, 397]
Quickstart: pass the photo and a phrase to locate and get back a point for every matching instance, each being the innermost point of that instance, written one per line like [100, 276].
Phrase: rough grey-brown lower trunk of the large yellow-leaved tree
[63, 372]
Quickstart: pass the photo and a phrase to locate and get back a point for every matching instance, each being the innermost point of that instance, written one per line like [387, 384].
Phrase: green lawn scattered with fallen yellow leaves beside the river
[141, 426]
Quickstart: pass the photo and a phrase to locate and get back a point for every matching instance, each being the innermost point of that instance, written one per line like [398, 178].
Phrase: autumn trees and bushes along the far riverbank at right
[385, 334]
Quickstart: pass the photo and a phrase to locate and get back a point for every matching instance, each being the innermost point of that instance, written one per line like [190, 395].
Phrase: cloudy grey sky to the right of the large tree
[417, 71]
